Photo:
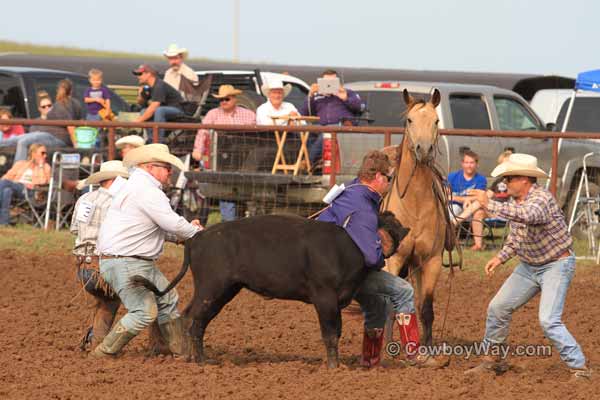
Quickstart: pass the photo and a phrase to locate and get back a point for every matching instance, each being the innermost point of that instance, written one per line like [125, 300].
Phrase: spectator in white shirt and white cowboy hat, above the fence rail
[275, 91]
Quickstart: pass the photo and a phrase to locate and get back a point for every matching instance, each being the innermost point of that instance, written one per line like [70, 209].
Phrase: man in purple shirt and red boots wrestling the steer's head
[356, 209]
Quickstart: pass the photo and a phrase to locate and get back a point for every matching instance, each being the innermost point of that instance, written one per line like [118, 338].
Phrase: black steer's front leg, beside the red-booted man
[330, 319]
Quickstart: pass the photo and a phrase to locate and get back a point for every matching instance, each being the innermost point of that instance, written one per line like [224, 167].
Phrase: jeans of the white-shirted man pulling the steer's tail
[143, 307]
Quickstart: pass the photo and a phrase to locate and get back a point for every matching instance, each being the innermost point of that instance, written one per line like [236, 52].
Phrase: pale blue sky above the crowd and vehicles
[521, 36]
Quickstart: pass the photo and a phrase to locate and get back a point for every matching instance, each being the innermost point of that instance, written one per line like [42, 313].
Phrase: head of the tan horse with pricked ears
[422, 125]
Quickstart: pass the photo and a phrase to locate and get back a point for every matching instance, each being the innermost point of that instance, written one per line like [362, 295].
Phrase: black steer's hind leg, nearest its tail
[207, 303]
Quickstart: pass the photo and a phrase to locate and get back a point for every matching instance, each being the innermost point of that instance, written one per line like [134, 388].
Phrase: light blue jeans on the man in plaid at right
[552, 280]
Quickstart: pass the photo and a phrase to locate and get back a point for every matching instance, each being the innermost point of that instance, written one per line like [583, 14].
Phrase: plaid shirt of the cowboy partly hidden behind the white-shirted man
[87, 233]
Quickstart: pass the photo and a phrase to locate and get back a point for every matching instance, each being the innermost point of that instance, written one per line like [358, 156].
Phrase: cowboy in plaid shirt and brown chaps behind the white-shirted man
[89, 212]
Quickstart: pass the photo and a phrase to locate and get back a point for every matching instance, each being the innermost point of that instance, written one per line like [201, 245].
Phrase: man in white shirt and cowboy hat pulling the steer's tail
[130, 241]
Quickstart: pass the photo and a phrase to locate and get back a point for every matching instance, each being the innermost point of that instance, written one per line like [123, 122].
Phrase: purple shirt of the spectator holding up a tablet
[331, 109]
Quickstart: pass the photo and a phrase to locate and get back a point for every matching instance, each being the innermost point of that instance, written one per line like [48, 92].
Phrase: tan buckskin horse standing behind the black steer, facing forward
[417, 198]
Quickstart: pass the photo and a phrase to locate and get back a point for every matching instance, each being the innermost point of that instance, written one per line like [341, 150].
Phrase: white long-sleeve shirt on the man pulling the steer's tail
[138, 219]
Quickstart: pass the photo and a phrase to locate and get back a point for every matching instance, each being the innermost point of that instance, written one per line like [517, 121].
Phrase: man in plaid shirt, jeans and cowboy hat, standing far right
[540, 238]
